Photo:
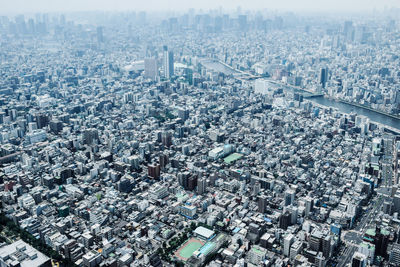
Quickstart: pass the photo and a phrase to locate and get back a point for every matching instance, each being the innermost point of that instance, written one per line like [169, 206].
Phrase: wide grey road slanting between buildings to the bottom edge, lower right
[359, 230]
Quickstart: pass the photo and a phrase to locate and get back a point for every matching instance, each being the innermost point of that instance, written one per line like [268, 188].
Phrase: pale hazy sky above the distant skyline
[24, 6]
